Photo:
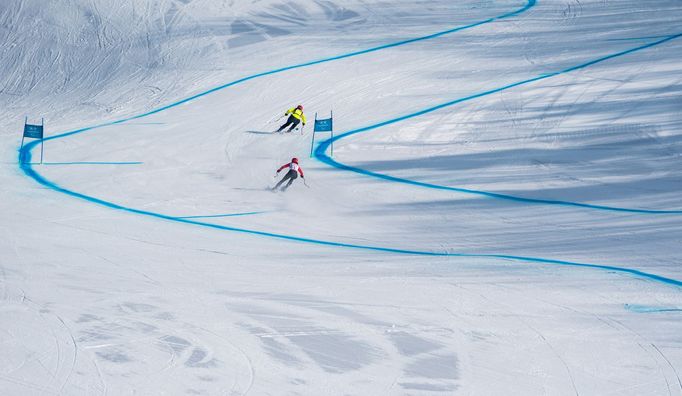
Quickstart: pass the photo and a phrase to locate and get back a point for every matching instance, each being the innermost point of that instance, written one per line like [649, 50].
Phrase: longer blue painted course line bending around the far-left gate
[25, 155]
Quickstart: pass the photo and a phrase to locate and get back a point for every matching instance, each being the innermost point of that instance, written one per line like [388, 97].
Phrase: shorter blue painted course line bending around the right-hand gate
[322, 148]
